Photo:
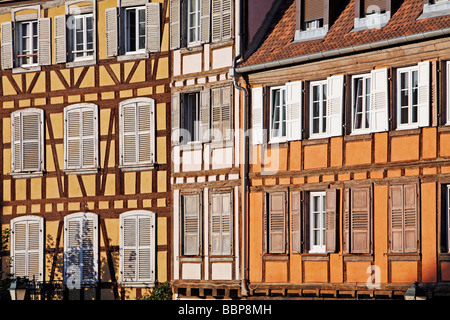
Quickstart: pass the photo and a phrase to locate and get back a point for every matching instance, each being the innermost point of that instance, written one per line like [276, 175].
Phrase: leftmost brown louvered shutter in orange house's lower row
[277, 222]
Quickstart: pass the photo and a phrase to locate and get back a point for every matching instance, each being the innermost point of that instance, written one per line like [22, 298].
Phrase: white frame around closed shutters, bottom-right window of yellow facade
[138, 281]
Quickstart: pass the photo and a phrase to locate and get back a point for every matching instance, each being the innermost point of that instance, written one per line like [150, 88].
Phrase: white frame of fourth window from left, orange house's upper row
[410, 124]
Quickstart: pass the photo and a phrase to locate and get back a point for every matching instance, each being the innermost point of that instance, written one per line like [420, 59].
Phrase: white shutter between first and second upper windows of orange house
[294, 110]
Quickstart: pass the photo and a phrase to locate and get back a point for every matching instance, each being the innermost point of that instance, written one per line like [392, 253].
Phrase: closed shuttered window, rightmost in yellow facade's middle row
[137, 132]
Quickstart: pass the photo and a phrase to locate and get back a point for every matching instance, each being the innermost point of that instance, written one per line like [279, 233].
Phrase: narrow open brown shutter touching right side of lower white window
[331, 207]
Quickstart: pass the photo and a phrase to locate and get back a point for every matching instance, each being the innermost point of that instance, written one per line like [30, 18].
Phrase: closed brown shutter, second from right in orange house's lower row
[360, 220]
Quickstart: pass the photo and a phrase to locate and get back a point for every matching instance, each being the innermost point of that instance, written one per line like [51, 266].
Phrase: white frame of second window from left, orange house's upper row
[322, 129]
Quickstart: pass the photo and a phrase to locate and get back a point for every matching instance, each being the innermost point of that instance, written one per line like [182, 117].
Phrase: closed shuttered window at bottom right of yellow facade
[137, 248]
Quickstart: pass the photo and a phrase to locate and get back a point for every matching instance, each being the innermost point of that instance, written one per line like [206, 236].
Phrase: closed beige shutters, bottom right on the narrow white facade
[221, 227]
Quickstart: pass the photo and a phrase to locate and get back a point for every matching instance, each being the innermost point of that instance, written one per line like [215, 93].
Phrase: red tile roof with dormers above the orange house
[277, 44]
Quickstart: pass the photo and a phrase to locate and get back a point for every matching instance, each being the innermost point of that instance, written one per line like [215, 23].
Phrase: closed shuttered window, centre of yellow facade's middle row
[81, 137]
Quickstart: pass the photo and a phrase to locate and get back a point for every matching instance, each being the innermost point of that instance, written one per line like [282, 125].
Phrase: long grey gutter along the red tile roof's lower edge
[347, 50]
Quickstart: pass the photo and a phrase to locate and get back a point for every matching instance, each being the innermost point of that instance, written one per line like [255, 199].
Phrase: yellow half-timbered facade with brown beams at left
[85, 147]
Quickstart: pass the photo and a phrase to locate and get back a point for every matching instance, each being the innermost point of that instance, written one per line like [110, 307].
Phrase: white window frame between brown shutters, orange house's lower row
[321, 246]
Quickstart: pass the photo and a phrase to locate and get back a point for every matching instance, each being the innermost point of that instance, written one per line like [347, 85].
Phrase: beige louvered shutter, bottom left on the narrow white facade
[191, 221]
